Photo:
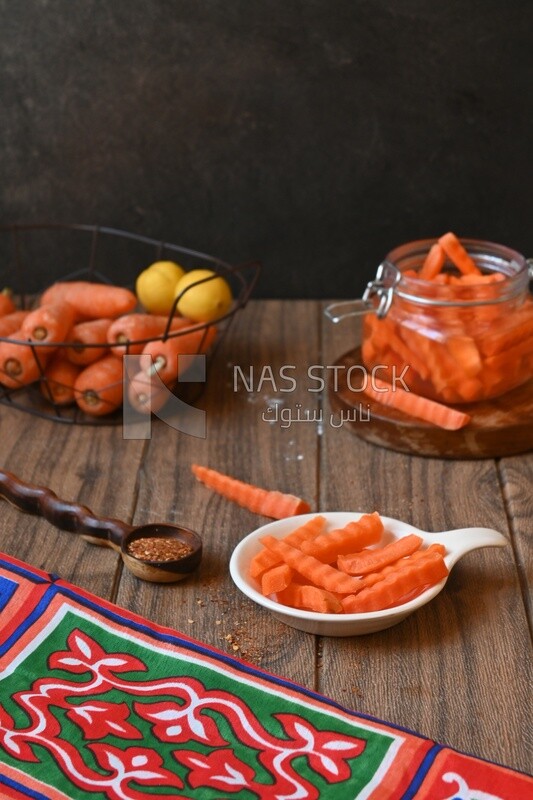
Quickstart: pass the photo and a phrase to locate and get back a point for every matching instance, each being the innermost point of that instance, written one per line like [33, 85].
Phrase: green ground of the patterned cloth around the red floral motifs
[263, 703]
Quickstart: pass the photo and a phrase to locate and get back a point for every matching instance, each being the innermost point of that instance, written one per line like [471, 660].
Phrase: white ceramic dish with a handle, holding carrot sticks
[457, 542]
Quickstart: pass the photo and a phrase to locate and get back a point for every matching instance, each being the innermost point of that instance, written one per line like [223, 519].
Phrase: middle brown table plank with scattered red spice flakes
[240, 442]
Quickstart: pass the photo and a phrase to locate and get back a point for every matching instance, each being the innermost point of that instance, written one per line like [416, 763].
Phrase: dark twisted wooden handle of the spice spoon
[42, 502]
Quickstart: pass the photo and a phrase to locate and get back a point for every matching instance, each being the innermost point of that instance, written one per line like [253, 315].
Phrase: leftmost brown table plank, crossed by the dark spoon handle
[91, 465]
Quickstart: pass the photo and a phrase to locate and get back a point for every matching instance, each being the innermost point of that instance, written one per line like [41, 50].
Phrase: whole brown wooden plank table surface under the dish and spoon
[458, 671]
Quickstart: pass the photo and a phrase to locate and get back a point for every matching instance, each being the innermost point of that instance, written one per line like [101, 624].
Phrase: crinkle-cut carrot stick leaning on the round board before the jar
[417, 406]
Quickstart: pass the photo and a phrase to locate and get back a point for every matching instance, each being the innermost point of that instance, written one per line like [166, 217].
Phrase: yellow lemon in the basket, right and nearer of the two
[205, 301]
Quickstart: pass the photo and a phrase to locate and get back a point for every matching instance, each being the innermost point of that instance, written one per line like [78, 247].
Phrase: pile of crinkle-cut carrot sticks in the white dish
[346, 570]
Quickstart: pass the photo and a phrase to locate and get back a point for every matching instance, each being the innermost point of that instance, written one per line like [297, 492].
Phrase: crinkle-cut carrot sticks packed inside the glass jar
[455, 354]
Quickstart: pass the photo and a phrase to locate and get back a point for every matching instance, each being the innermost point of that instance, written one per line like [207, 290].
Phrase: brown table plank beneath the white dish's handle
[458, 670]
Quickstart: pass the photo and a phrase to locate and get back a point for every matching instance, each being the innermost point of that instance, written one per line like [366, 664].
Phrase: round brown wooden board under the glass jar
[499, 427]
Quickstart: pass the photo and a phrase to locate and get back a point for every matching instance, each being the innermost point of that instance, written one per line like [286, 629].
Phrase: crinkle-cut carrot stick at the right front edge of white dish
[388, 592]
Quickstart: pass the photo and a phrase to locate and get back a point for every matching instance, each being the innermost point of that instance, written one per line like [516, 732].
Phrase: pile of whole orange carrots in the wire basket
[71, 345]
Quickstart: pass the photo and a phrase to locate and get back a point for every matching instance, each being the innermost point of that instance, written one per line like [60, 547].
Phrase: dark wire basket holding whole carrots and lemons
[33, 256]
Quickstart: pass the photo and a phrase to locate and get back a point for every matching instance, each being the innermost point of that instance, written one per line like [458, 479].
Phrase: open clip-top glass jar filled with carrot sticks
[455, 342]
